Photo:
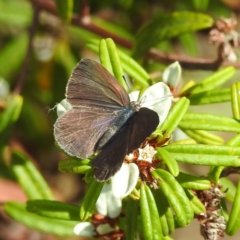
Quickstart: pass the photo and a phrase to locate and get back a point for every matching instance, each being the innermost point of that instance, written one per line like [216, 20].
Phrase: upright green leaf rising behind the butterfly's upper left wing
[108, 54]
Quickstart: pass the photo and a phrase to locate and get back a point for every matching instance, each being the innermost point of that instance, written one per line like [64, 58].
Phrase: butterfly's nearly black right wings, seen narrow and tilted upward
[129, 138]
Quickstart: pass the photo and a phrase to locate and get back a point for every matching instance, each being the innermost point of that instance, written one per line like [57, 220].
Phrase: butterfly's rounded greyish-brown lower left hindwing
[78, 130]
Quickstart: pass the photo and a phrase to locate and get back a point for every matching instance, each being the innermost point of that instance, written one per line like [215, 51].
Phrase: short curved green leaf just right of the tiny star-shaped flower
[169, 161]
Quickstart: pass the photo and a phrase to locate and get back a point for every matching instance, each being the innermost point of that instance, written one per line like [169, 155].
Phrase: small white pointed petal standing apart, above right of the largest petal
[172, 74]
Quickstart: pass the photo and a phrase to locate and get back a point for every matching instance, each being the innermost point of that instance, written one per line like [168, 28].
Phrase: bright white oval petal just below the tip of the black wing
[125, 180]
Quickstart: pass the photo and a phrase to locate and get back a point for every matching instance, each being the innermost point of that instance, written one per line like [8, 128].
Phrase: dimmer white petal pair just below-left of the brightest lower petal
[107, 204]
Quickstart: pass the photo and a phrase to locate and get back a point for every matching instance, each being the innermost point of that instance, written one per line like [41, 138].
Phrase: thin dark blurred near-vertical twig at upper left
[25, 65]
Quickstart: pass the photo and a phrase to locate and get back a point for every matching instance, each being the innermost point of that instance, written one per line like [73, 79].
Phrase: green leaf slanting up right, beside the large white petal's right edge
[174, 117]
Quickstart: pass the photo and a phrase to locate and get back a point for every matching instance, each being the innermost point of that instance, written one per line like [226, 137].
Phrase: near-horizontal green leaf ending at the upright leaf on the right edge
[212, 96]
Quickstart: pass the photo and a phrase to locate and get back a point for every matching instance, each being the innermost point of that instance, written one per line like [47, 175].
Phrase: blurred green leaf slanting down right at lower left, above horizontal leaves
[29, 177]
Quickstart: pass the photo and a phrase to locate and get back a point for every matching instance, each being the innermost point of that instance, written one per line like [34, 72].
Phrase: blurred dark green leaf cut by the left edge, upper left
[14, 51]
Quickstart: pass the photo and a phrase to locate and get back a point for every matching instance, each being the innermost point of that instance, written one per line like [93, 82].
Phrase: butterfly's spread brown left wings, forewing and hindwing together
[96, 97]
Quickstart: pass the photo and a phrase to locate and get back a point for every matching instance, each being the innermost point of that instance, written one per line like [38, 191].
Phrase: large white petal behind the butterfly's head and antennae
[158, 97]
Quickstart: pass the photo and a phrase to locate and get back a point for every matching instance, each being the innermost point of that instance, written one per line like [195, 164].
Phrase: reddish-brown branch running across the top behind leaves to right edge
[84, 21]
